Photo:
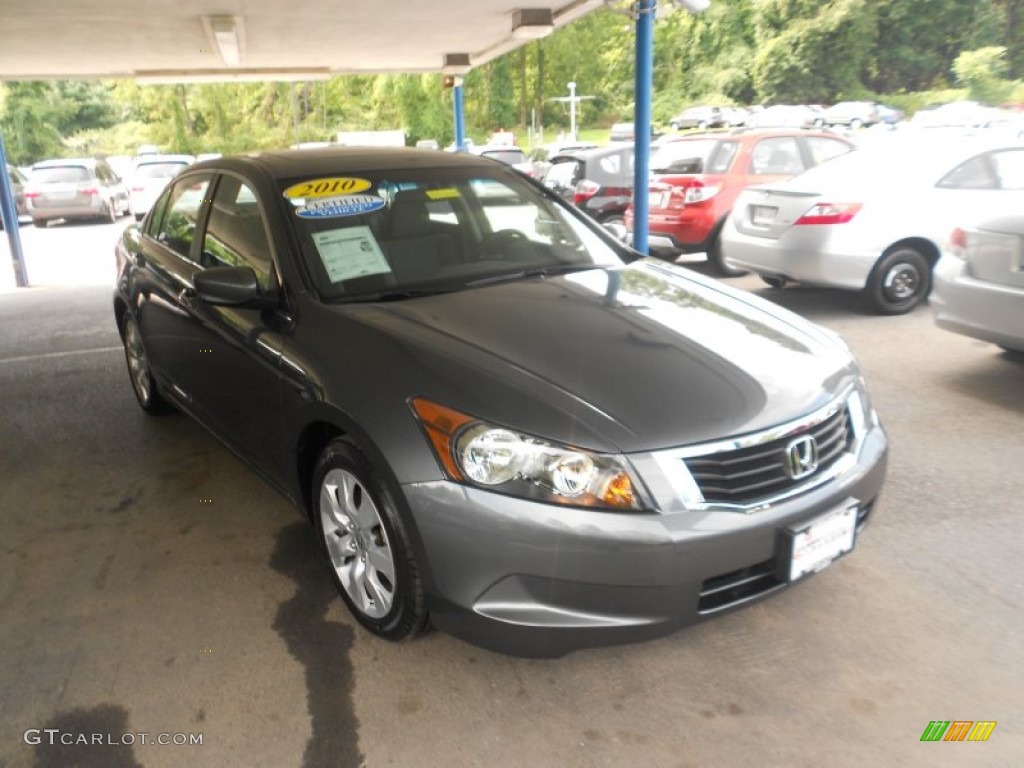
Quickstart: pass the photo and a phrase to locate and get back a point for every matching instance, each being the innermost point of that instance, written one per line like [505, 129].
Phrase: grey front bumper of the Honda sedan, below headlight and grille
[535, 580]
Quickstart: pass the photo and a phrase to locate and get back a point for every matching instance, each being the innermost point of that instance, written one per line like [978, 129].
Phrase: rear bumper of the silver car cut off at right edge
[977, 309]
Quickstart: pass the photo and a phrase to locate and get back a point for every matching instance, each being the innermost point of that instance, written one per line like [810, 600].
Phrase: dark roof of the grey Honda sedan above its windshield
[313, 163]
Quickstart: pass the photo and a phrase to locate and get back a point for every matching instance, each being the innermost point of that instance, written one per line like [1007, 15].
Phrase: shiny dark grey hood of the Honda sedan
[632, 359]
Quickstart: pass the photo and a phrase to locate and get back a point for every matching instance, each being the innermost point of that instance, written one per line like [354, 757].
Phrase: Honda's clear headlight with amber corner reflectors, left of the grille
[511, 462]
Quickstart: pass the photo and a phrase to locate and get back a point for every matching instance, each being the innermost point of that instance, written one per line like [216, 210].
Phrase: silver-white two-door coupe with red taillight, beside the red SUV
[875, 220]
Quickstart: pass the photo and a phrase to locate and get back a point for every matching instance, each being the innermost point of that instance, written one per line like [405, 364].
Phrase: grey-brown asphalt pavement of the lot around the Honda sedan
[151, 584]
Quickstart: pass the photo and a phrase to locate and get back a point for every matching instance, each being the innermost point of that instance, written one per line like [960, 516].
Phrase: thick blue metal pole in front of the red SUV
[642, 120]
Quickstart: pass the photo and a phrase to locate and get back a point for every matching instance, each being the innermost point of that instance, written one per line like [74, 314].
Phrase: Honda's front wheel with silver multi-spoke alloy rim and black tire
[366, 544]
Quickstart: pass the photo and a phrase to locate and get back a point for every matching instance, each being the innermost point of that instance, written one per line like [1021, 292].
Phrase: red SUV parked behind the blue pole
[696, 181]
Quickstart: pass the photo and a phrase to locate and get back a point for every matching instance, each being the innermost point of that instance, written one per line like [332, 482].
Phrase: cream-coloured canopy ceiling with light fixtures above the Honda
[177, 40]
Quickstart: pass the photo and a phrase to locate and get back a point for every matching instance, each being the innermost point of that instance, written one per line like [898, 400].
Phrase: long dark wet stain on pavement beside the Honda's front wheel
[323, 648]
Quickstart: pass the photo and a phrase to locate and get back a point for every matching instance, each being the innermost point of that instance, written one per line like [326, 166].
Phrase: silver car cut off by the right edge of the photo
[979, 282]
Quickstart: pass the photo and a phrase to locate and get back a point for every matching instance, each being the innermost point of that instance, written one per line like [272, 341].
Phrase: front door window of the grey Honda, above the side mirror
[235, 233]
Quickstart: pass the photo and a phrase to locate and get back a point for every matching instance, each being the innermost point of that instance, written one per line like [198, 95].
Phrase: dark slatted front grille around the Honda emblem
[747, 475]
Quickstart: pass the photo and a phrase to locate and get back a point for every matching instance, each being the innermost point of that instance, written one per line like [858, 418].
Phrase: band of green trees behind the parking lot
[737, 53]
